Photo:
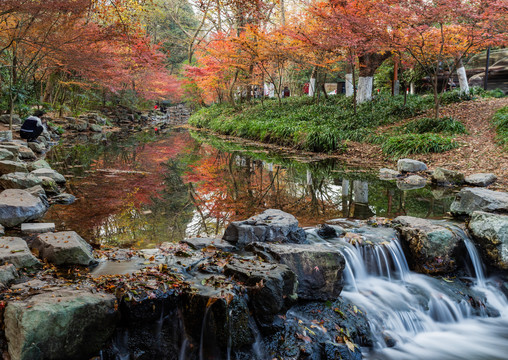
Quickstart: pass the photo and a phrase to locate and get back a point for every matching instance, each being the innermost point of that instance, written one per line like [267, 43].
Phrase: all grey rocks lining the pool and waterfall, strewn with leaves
[267, 289]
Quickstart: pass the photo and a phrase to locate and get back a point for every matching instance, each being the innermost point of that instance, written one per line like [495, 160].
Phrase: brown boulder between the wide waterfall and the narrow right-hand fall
[431, 247]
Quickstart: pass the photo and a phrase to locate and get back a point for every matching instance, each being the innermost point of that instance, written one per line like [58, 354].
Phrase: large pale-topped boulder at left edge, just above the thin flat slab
[18, 206]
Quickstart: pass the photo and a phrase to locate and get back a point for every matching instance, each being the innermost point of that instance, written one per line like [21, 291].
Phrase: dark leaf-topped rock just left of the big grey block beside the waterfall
[271, 287]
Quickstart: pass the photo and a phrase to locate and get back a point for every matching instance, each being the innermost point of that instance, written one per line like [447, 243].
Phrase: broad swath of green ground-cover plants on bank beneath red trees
[328, 126]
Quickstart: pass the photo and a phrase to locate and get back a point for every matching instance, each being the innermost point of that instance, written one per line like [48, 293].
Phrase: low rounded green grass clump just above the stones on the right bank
[402, 145]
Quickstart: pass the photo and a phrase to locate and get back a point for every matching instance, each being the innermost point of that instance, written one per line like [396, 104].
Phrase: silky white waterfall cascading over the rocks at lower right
[414, 316]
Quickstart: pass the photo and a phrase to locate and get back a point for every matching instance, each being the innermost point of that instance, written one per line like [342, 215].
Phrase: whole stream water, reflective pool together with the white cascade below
[148, 189]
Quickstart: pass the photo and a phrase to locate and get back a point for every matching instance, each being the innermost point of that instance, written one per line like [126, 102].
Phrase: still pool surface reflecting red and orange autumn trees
[145, 190]
